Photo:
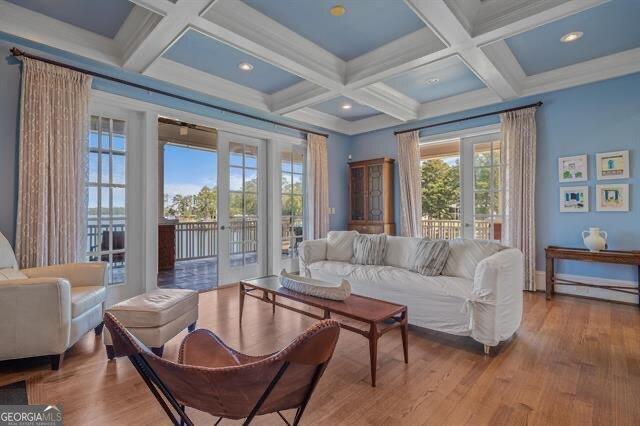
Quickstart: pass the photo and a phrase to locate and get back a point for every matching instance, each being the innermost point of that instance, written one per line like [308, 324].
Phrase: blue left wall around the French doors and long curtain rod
[9, 116]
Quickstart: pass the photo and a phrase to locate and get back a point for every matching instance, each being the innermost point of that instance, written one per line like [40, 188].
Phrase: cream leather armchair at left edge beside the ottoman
[44, 311]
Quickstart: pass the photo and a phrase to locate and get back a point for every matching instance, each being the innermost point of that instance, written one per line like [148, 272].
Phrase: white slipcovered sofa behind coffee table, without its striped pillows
[479, 293]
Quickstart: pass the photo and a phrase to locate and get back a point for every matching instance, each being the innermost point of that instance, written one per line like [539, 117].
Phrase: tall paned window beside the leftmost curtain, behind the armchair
[106, 193]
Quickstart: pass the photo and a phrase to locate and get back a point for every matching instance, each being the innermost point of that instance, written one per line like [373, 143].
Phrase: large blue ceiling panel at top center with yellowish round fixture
[366, 24]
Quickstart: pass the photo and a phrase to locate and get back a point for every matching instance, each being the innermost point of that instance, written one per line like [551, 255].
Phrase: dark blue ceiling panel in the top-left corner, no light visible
[98, 16]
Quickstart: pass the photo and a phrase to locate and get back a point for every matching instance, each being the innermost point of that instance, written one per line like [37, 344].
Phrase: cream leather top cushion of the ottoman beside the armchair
[155, 308]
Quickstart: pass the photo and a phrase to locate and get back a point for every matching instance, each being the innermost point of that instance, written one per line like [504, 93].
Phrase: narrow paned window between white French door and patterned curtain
[292, 173]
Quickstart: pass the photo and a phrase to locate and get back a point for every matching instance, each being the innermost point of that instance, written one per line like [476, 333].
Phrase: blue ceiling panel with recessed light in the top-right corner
[610, 28]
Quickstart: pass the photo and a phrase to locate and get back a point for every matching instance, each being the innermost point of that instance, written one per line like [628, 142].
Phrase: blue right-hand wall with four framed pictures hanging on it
[599, 117]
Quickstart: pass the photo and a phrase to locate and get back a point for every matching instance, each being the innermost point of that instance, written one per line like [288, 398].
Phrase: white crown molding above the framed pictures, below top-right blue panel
[598, 69]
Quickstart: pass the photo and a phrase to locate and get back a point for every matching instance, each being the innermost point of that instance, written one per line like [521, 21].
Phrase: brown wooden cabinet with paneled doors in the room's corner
[371, 196]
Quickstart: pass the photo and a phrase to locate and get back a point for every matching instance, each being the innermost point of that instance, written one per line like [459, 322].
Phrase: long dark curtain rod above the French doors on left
[17, 52]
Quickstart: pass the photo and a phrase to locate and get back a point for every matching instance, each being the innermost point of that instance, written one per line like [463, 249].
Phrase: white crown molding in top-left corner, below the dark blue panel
[40, 28]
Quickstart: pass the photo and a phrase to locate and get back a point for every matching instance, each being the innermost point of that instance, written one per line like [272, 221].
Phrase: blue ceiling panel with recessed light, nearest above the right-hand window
[454, 77]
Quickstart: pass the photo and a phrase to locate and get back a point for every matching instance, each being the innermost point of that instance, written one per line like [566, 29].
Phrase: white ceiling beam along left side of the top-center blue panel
[235, 23]
